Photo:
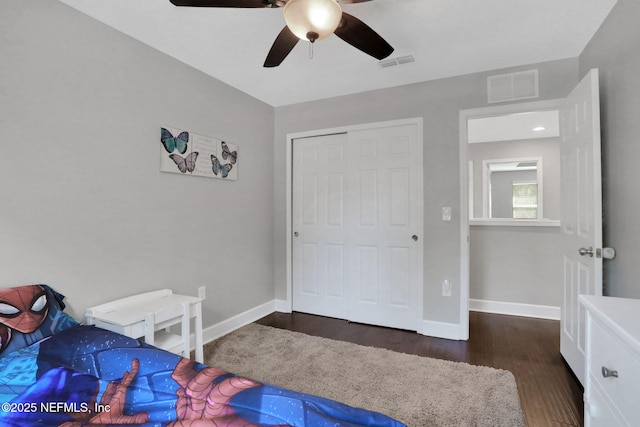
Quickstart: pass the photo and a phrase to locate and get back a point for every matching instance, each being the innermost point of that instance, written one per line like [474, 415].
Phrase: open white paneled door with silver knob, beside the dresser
[582, 213]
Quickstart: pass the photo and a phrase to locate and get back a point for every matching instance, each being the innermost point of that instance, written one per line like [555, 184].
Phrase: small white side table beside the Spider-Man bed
[127, 315]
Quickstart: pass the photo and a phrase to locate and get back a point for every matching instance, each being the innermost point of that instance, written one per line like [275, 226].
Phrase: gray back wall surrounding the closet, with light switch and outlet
[438, 103]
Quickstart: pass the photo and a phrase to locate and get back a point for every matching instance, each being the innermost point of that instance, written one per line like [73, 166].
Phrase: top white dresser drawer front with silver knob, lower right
[608, 352]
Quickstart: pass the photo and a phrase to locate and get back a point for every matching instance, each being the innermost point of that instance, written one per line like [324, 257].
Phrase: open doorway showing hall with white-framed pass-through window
[504, 201]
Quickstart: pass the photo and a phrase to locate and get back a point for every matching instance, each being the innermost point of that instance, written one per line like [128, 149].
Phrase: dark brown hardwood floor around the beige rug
[529, 348]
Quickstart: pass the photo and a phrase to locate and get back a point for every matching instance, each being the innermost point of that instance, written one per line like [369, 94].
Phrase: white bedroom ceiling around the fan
[446, 38]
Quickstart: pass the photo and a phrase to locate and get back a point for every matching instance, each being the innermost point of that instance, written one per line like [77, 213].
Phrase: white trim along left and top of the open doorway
[465, 115]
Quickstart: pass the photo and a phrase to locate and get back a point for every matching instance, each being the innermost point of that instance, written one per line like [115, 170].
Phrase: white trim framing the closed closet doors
[417, 121]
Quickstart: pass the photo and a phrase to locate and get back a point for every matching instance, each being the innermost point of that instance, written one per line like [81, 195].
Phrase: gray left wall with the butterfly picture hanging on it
[84, 206]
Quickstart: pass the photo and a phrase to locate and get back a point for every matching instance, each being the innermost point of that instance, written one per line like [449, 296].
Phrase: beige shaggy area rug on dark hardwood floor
[418, 391]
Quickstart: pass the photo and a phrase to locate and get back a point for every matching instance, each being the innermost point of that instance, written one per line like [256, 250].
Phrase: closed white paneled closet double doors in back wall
[357, 224]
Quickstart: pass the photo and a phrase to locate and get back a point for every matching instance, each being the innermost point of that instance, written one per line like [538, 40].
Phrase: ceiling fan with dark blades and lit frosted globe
[309, 20]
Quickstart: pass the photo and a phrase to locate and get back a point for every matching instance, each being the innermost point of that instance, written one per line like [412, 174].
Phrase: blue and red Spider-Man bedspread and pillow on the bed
[56, 372]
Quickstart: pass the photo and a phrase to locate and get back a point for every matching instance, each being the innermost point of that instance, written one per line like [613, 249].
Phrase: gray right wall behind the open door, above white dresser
[615, 51]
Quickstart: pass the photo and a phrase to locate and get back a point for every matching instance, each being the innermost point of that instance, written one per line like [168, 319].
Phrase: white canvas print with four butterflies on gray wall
[188, 153]
